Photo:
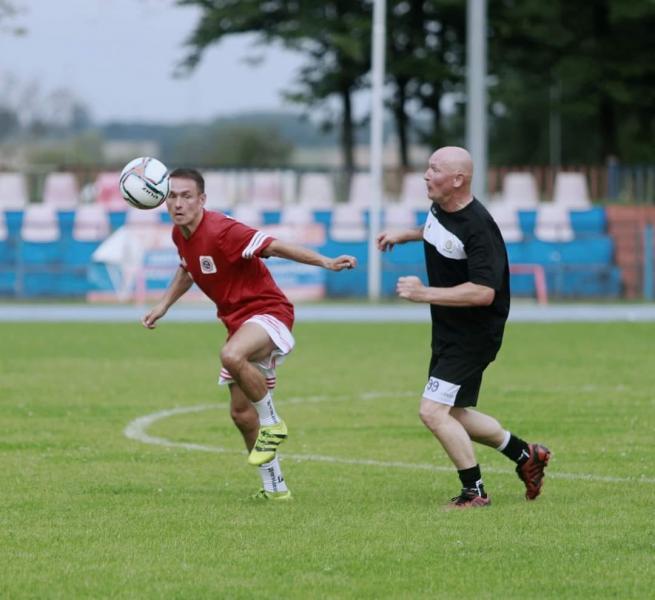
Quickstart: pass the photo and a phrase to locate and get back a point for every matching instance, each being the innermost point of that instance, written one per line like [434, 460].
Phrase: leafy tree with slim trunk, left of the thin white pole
[334, 35]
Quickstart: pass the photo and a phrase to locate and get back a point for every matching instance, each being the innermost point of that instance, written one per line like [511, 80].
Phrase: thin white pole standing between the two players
[376, 149]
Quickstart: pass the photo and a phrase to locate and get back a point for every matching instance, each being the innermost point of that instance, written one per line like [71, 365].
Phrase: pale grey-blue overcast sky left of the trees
[118, 57]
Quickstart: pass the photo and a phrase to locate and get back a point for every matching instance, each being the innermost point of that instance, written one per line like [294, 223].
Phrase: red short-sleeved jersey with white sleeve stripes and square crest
[222, 257]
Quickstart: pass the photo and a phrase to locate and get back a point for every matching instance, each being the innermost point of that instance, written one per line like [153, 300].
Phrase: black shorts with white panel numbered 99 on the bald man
[454, 381]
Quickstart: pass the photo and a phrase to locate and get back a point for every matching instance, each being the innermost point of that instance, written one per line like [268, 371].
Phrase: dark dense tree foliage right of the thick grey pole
[596, 55]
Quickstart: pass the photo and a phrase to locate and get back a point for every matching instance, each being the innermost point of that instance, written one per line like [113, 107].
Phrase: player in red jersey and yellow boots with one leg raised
[223, 257]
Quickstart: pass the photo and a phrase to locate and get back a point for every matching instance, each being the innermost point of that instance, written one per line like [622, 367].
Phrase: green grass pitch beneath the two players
[88, 513]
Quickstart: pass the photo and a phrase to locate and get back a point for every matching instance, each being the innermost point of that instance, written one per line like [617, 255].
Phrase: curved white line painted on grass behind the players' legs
[137, 430]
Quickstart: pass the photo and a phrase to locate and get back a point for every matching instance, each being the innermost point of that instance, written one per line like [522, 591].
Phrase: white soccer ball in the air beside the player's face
[144, 182]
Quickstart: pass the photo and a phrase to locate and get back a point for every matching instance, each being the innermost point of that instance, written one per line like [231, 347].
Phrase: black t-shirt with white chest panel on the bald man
[462, 246]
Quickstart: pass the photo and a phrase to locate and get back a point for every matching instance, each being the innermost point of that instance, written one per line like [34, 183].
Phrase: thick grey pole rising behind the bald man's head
[476, 106]
